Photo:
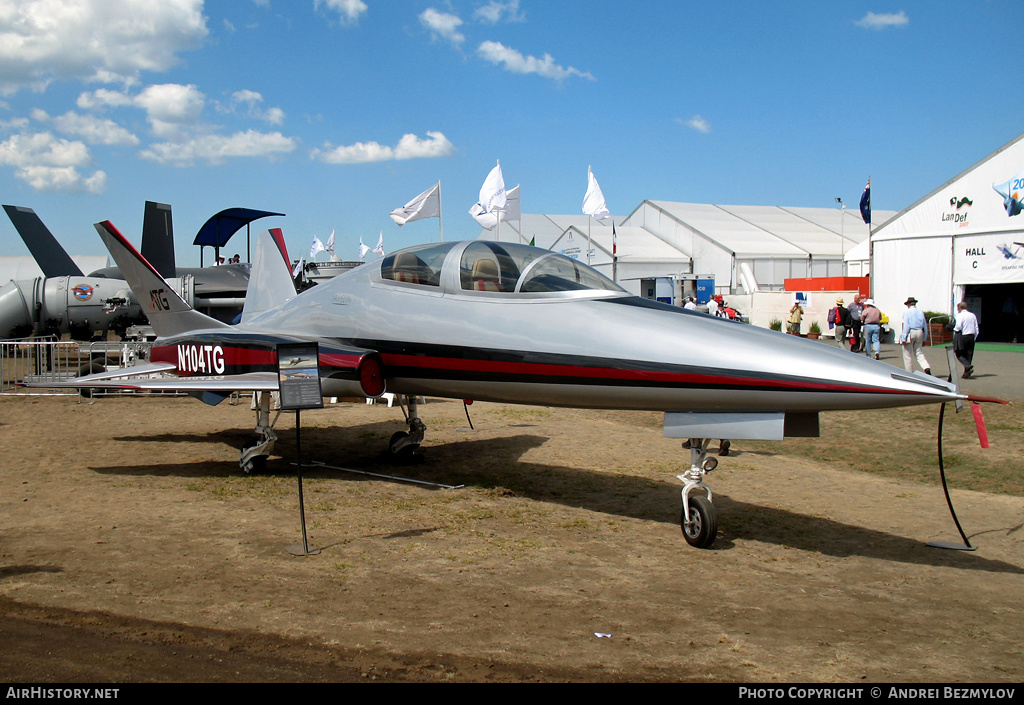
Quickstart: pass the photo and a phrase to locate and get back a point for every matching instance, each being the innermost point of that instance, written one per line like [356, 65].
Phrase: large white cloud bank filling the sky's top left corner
[47, 40]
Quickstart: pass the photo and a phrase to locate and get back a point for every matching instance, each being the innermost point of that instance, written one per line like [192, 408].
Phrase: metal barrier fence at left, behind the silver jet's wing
[49, 360]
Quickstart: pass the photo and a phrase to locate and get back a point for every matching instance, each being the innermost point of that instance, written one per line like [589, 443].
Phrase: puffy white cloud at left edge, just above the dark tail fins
[49, 163]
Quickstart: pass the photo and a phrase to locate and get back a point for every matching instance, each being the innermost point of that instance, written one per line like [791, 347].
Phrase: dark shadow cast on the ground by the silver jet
[497, 464]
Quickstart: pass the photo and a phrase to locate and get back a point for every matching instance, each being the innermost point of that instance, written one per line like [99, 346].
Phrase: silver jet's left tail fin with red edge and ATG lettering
[168, 313]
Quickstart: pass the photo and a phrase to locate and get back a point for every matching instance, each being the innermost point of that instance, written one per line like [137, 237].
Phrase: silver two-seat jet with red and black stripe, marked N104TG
[498, 322]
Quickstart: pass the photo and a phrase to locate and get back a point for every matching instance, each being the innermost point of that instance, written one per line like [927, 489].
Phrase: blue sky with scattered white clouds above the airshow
[336, 112]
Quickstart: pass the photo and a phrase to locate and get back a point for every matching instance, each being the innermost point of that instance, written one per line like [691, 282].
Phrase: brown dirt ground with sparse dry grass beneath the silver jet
[134, 550]
